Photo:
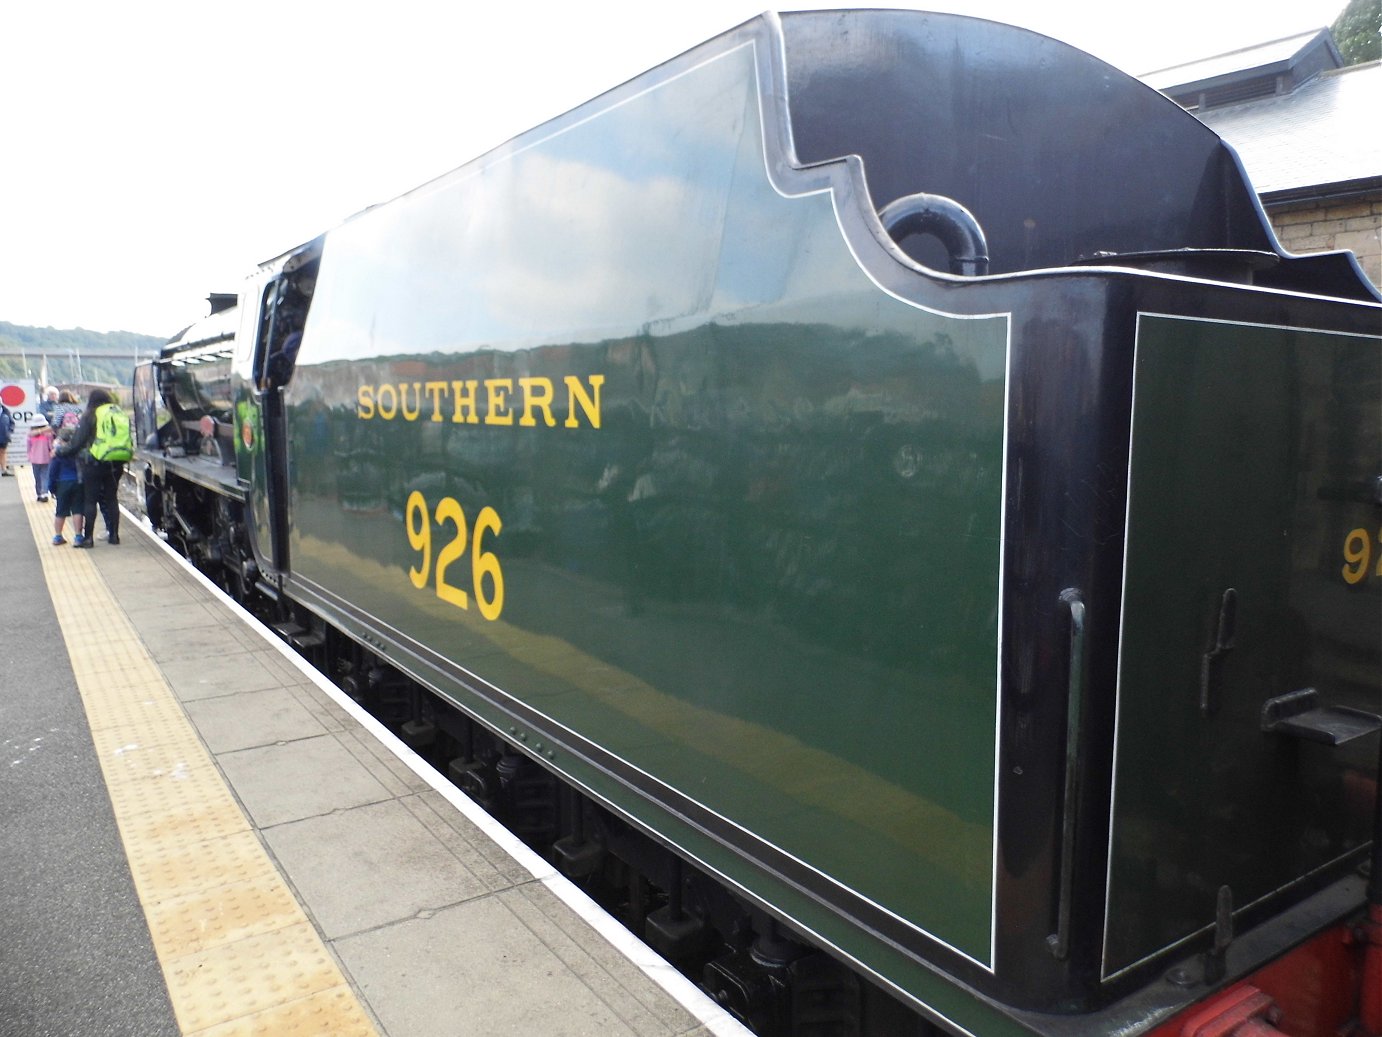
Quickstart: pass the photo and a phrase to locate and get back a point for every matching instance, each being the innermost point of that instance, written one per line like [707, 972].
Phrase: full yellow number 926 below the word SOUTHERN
[487, 579]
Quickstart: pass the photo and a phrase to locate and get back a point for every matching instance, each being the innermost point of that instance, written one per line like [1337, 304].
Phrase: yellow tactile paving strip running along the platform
[238, 955]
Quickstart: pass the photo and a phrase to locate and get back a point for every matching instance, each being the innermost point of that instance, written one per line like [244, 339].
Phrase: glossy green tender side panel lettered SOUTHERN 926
[630, 436]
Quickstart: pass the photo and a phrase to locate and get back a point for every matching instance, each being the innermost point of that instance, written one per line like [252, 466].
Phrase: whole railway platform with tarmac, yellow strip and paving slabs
[201, 836]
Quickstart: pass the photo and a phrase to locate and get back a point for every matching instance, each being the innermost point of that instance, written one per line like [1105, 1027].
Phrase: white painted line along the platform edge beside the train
[647, 962]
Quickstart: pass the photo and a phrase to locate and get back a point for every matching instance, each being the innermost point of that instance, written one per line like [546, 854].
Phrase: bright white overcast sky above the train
[155, 153]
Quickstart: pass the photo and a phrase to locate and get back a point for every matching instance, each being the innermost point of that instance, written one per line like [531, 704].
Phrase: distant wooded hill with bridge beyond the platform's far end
[74, 355]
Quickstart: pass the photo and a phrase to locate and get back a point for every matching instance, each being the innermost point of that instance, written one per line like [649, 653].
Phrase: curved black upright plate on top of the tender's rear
[1061, 157]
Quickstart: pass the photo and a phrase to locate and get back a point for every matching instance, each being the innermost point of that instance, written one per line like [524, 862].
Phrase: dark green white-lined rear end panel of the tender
[1253, 572]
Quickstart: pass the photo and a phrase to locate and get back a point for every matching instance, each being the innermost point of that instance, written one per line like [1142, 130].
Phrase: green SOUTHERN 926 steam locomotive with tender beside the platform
[887, 468]
